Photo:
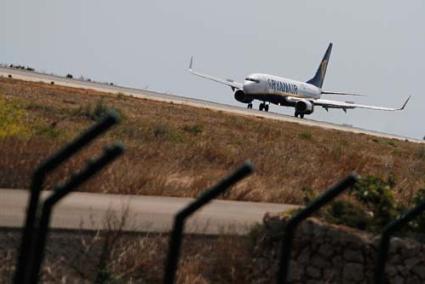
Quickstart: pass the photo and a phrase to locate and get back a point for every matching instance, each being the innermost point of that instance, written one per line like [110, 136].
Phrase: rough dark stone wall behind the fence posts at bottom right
[325, 253]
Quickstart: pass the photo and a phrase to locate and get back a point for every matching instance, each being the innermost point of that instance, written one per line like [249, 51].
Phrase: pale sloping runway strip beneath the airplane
[104, 87]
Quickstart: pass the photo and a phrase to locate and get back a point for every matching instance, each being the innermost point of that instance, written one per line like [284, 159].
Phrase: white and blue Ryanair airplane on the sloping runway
[303, 96]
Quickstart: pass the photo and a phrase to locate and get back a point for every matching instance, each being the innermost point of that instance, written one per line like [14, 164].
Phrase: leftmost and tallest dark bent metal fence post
[37, 183]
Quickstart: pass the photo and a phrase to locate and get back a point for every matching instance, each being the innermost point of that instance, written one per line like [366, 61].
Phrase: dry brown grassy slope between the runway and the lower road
[178, 150]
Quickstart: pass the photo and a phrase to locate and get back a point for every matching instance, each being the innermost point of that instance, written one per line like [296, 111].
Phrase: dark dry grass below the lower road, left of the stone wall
[113, 256]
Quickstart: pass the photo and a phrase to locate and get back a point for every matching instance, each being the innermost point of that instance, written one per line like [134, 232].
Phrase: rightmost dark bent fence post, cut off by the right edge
[386, 236]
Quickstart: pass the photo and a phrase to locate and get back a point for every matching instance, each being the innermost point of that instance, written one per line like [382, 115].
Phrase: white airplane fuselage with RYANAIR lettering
[268, 85]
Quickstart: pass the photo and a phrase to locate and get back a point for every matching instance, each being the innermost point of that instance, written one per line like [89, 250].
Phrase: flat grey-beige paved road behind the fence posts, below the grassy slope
[145, 213]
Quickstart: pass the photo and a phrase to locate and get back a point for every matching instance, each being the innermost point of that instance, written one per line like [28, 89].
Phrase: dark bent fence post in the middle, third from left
[180, 218]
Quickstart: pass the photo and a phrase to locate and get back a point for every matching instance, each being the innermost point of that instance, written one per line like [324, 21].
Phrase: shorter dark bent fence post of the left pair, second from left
[60, 192]
